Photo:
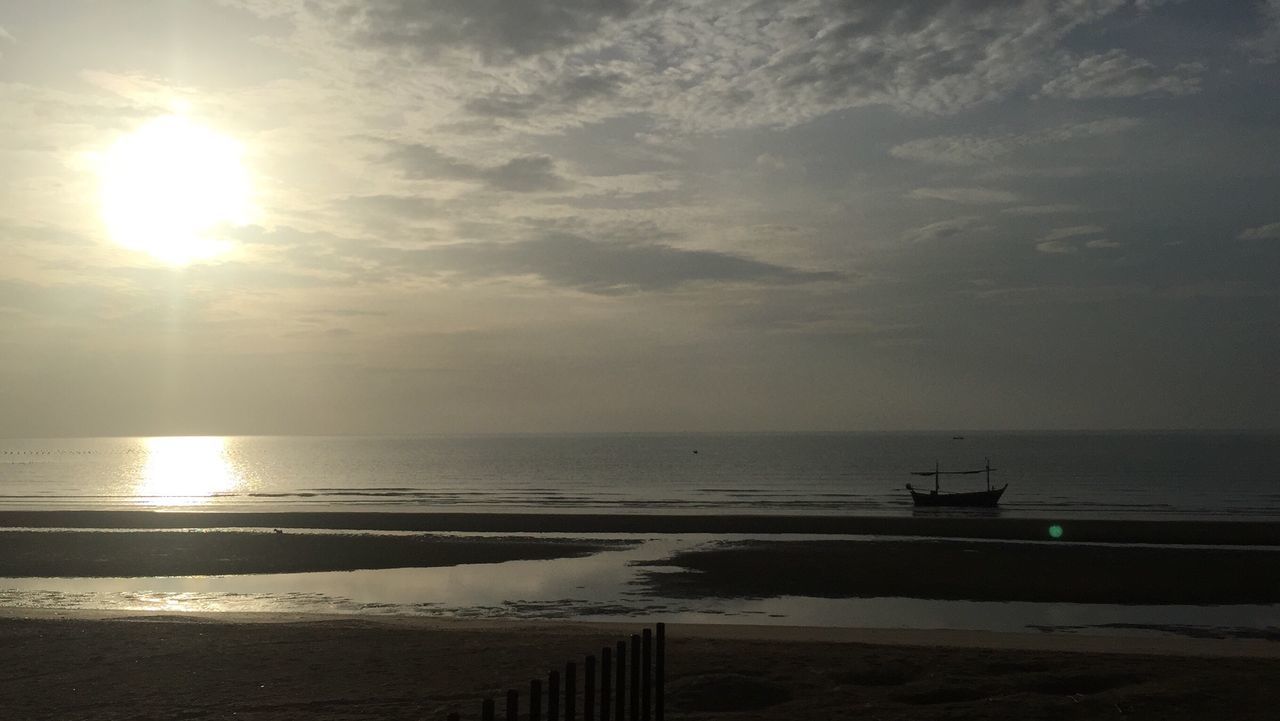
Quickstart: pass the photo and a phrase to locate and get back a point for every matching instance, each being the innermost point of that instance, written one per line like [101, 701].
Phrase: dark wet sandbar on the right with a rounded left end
[973, 572]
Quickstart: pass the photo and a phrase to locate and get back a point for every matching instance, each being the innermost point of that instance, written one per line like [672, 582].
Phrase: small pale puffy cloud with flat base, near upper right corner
[1116, 75]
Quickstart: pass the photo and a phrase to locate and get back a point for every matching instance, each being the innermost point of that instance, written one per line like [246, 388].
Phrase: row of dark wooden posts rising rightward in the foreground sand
[609, 696]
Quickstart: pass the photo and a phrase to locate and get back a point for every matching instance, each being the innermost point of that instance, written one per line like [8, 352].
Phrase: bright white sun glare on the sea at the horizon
[186, 471]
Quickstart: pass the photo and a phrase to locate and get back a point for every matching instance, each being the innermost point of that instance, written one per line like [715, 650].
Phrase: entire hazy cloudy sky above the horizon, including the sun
[623, 216]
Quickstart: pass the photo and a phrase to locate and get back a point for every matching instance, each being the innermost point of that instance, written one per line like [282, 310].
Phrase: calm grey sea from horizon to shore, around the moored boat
[1185, 476]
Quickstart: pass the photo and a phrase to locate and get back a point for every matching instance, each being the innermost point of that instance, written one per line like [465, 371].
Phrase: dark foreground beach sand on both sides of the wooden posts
[199, 669]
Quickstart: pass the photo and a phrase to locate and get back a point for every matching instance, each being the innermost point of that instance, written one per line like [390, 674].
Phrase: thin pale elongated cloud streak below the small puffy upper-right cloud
[977, 150]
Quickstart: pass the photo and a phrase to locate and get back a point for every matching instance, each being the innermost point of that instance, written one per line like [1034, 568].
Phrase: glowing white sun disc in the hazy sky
[170, 186]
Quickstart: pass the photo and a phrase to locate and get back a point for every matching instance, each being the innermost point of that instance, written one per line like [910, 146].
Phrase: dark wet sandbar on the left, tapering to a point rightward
[168, 554]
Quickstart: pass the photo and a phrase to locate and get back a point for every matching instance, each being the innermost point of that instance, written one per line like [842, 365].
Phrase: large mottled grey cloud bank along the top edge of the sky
[700, 66]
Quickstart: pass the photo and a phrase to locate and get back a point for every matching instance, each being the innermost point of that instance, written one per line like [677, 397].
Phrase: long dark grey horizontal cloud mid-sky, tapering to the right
[604, 268]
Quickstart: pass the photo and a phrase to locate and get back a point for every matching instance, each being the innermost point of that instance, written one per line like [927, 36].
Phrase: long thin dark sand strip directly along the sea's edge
[1092, 531]
